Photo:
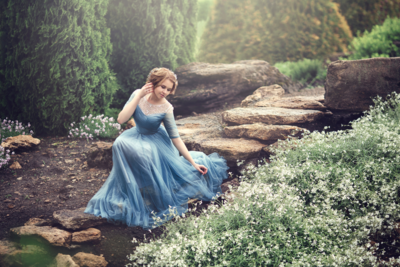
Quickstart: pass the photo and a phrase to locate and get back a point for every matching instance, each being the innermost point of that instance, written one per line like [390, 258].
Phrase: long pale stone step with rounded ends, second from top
[277, 116]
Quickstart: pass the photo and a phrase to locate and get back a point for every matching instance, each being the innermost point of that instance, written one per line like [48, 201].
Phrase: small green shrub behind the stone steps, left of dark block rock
[304, 71]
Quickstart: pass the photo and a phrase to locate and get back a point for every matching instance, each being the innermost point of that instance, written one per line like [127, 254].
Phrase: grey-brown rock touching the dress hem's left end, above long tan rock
[77, 219]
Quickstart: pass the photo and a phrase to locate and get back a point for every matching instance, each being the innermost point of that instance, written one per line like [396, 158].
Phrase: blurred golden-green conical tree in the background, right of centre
[274, 31]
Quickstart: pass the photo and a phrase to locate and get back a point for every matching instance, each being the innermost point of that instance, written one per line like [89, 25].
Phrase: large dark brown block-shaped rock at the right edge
[350, 85]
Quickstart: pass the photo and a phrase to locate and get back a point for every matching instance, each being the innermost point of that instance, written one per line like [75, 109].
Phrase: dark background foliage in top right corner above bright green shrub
[362, 15]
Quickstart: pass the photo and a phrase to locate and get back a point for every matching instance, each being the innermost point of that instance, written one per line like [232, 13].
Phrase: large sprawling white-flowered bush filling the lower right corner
[320, 202]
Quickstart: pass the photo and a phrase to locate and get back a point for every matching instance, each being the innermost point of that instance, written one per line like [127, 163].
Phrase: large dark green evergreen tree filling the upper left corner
[54, 61]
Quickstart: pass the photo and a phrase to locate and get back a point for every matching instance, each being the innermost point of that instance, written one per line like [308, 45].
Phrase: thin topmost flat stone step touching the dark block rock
[295, 102]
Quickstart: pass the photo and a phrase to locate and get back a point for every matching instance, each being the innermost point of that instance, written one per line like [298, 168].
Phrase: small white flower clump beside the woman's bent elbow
[94, 127]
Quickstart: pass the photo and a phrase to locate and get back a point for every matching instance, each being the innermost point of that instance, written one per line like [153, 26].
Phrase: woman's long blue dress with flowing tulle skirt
[149, 179]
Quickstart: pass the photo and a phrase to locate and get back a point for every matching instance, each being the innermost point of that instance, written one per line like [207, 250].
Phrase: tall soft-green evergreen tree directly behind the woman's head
[147, 34]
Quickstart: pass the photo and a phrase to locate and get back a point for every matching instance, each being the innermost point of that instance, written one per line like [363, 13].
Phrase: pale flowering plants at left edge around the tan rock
[9, 128]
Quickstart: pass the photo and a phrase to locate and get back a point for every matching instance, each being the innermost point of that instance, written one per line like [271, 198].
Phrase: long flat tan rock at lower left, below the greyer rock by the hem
[53, 235]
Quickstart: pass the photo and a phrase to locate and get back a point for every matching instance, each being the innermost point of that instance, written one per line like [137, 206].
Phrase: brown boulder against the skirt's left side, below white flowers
[100, 155]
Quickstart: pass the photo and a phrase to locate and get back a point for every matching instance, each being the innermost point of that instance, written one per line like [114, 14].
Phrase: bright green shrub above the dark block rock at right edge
[379, 42]
